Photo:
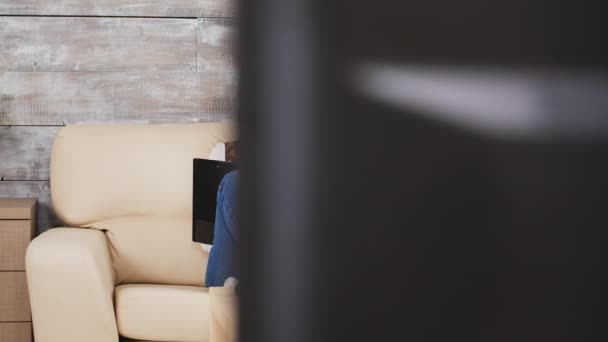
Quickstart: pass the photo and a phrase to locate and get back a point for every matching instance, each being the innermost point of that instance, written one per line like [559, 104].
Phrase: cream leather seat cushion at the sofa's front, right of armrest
[163, 312]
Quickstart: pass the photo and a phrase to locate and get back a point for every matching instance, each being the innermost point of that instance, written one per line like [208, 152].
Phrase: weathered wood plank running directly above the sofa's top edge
[57, 98]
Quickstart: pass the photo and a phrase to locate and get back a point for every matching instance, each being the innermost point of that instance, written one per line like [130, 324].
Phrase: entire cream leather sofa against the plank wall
[127, 266]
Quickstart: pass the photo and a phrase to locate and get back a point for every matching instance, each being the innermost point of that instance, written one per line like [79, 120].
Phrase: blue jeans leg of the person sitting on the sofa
[221, 258]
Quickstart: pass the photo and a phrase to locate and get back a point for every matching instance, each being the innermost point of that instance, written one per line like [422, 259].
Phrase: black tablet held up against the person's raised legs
[208, 175]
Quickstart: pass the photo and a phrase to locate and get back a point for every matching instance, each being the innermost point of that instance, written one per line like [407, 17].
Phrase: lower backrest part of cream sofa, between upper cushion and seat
[154, 250]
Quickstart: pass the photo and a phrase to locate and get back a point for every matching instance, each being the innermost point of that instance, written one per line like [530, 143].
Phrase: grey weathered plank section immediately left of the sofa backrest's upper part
[25, 152]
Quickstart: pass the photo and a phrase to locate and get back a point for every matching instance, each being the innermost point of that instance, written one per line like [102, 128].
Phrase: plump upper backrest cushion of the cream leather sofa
[100, 172]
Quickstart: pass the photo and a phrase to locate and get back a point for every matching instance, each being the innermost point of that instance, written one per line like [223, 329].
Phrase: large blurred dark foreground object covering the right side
[424, 171]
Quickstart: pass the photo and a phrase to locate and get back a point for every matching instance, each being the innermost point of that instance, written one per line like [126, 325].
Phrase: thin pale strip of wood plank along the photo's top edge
[136, 8]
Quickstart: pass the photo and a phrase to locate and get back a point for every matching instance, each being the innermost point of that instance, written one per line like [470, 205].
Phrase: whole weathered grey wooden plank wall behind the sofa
[91, 61]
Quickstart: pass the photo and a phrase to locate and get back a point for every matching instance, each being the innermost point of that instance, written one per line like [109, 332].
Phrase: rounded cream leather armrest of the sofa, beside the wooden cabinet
[71, 286]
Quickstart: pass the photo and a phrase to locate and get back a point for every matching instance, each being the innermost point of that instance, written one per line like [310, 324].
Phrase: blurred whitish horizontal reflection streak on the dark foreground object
[507, 104]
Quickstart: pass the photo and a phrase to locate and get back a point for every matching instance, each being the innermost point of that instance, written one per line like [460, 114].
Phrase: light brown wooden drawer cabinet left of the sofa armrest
[17, 222]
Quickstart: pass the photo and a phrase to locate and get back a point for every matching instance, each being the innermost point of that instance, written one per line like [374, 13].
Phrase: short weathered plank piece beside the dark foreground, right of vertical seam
[216, 44]
